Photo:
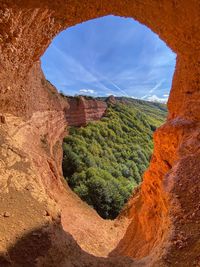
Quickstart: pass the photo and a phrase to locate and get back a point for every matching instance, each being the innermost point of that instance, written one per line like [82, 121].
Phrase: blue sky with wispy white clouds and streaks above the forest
[110, 56]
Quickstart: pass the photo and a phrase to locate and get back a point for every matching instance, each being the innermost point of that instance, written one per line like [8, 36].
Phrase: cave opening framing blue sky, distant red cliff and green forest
[106, 154]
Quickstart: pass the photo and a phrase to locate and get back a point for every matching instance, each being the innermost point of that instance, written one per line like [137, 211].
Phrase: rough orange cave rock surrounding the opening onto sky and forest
[47, 225]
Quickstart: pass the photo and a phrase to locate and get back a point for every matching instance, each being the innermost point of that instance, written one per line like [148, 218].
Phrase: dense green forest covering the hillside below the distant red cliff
[104, 161]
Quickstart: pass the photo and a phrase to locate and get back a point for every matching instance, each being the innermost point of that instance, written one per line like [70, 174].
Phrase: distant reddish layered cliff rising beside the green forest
[82, 110]
